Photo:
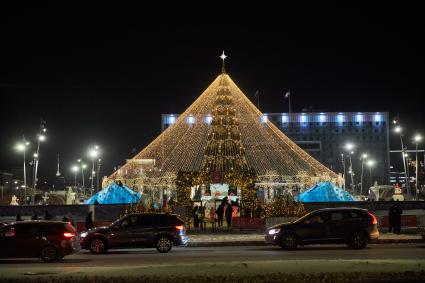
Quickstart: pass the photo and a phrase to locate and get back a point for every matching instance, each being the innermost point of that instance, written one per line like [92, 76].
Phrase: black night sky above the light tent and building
[104, 74]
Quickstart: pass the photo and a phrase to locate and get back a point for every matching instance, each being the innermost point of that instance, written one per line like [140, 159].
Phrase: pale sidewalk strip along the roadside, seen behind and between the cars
[257, 239]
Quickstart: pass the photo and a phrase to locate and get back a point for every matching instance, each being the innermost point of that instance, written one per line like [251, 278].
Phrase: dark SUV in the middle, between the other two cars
[149, 230]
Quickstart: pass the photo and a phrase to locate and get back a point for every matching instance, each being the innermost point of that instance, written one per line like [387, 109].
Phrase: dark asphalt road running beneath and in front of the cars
[180, 255]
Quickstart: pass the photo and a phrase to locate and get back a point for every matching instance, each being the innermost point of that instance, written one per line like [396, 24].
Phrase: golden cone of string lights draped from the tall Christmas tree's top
[189, 144]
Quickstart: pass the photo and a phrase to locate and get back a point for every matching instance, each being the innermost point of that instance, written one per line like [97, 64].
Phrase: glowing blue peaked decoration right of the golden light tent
[324, 192]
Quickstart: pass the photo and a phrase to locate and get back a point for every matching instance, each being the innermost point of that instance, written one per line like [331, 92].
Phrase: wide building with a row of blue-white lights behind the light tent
[325, 136]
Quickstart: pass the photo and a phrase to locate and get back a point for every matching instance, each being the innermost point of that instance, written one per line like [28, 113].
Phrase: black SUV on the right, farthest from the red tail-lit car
[352, 226]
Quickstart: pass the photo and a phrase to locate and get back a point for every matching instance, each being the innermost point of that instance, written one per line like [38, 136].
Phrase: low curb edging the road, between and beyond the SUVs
[263, 243]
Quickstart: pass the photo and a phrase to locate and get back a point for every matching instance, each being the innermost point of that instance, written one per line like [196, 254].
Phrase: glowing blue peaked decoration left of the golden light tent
[115, 194]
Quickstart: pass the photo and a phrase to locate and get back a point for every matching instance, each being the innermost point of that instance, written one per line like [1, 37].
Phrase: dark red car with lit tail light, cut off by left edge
[47, 240]
